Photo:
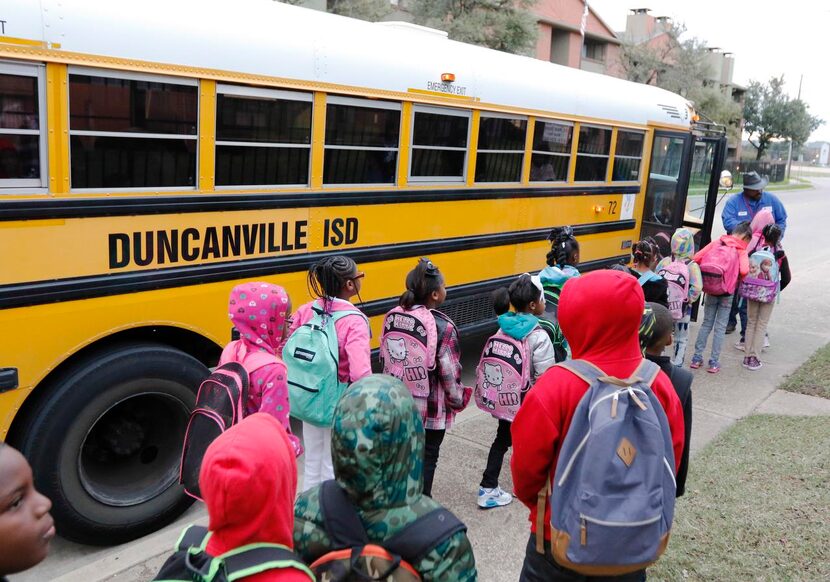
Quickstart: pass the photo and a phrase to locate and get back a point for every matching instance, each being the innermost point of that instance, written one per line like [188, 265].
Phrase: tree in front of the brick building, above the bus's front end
[680, 66]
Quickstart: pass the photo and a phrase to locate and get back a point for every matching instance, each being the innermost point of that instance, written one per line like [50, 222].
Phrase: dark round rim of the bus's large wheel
[132, 451]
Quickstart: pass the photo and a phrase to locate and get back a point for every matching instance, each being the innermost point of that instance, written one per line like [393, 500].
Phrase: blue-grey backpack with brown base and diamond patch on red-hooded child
[612, 498]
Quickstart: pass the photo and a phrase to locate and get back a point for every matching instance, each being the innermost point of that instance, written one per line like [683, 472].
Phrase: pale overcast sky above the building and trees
[767, 38]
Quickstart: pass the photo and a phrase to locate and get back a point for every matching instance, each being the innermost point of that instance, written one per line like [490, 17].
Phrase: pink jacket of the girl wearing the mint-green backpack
[352, 338]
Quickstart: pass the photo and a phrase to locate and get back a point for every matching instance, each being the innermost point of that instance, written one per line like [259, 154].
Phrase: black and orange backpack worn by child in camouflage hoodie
[355, 558]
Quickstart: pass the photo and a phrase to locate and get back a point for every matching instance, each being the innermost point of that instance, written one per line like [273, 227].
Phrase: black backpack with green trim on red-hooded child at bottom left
[191, 562]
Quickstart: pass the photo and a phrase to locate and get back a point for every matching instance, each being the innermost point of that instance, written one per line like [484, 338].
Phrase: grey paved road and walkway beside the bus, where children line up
[799, 325]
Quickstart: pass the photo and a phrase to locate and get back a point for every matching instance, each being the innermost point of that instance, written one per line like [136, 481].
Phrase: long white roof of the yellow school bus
[263, 37]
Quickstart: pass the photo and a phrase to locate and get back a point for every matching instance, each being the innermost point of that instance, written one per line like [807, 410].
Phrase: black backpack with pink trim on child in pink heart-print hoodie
[220, 404]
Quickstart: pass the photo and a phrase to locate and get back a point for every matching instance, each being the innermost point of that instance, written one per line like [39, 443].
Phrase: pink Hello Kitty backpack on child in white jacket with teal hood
[502, 375]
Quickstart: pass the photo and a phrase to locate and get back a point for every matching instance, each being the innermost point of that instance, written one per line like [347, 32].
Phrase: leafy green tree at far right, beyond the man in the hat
[770, 114]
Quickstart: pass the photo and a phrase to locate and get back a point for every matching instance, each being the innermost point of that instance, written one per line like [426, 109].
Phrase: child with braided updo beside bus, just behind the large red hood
[562, 260]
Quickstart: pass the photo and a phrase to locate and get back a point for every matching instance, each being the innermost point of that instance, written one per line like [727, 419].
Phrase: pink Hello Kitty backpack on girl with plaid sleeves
[408, 347]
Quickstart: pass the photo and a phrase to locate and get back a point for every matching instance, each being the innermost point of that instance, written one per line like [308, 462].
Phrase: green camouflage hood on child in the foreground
[378, 444]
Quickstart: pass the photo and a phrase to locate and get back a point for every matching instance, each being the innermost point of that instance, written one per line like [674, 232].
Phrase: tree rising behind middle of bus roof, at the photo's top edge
[504, 25]
